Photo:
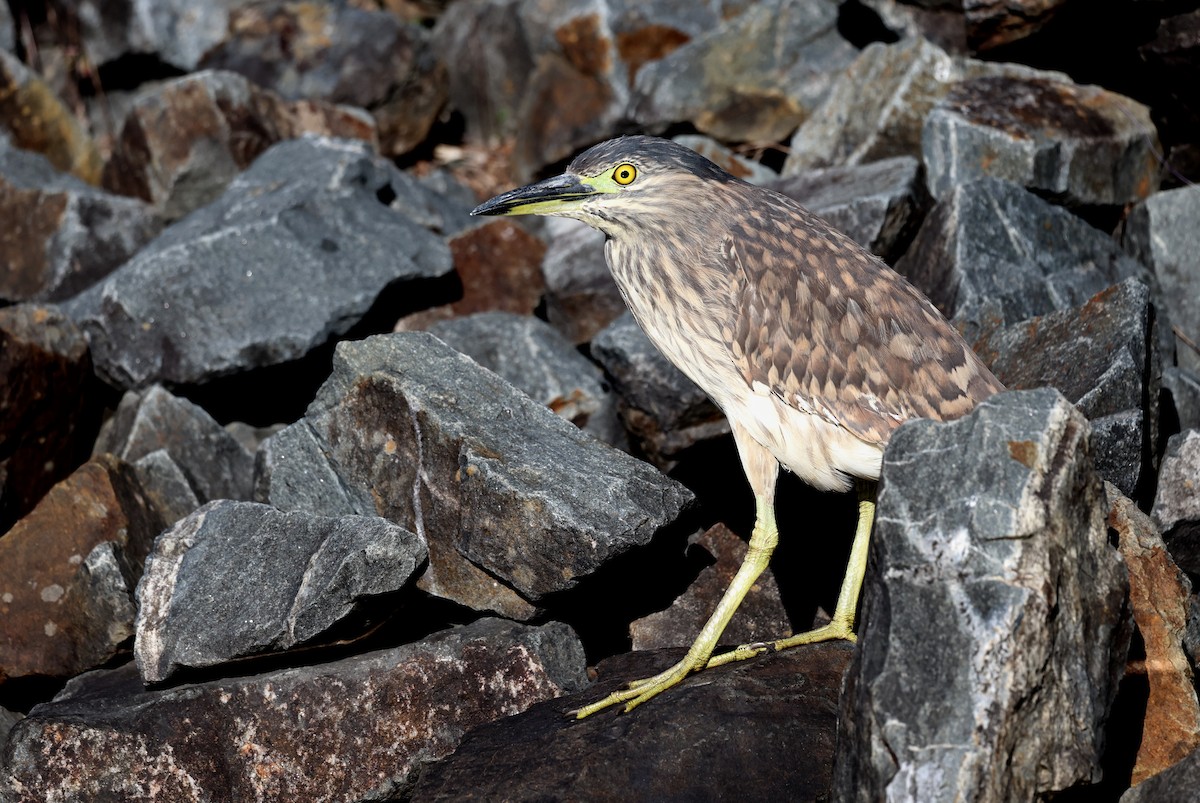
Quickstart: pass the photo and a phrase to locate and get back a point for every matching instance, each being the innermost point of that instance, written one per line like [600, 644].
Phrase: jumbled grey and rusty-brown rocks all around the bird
[314, 488]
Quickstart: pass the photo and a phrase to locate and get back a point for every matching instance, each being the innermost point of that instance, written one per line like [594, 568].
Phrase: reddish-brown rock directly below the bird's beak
[500, 268]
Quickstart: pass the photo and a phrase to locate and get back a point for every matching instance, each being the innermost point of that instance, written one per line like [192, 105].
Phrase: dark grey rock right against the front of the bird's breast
[664, 410]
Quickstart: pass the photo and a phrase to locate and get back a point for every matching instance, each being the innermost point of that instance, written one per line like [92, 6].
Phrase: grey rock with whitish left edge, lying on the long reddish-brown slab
[239, 579]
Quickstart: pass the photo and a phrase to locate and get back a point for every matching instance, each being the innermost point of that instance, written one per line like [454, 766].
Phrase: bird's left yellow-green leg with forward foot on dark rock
[763, 544]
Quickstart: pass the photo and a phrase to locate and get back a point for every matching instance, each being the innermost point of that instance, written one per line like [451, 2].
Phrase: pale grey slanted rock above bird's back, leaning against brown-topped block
[878, 107]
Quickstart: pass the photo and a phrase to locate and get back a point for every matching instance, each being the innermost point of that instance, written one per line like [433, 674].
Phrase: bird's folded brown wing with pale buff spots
[833, 332]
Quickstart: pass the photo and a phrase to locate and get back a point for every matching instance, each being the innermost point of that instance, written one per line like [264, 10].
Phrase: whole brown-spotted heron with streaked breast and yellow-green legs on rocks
[814, 349]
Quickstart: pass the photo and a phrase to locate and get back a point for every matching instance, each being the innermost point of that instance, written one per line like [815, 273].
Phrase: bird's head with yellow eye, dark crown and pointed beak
[620, 184]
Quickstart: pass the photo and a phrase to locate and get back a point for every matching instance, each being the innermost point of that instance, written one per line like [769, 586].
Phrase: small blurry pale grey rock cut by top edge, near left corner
[176, 33]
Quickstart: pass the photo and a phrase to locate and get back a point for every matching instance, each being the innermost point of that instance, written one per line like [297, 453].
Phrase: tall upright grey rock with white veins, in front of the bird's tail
[994, 628]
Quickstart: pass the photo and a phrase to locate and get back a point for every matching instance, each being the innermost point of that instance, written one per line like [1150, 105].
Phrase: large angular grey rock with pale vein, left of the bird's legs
[514, 502]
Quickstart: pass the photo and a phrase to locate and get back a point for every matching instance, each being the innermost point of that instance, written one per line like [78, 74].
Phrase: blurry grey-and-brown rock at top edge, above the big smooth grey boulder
[370, 59]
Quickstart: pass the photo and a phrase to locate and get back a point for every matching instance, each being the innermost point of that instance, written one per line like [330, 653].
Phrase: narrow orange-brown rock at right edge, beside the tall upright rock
[1159, 597]
